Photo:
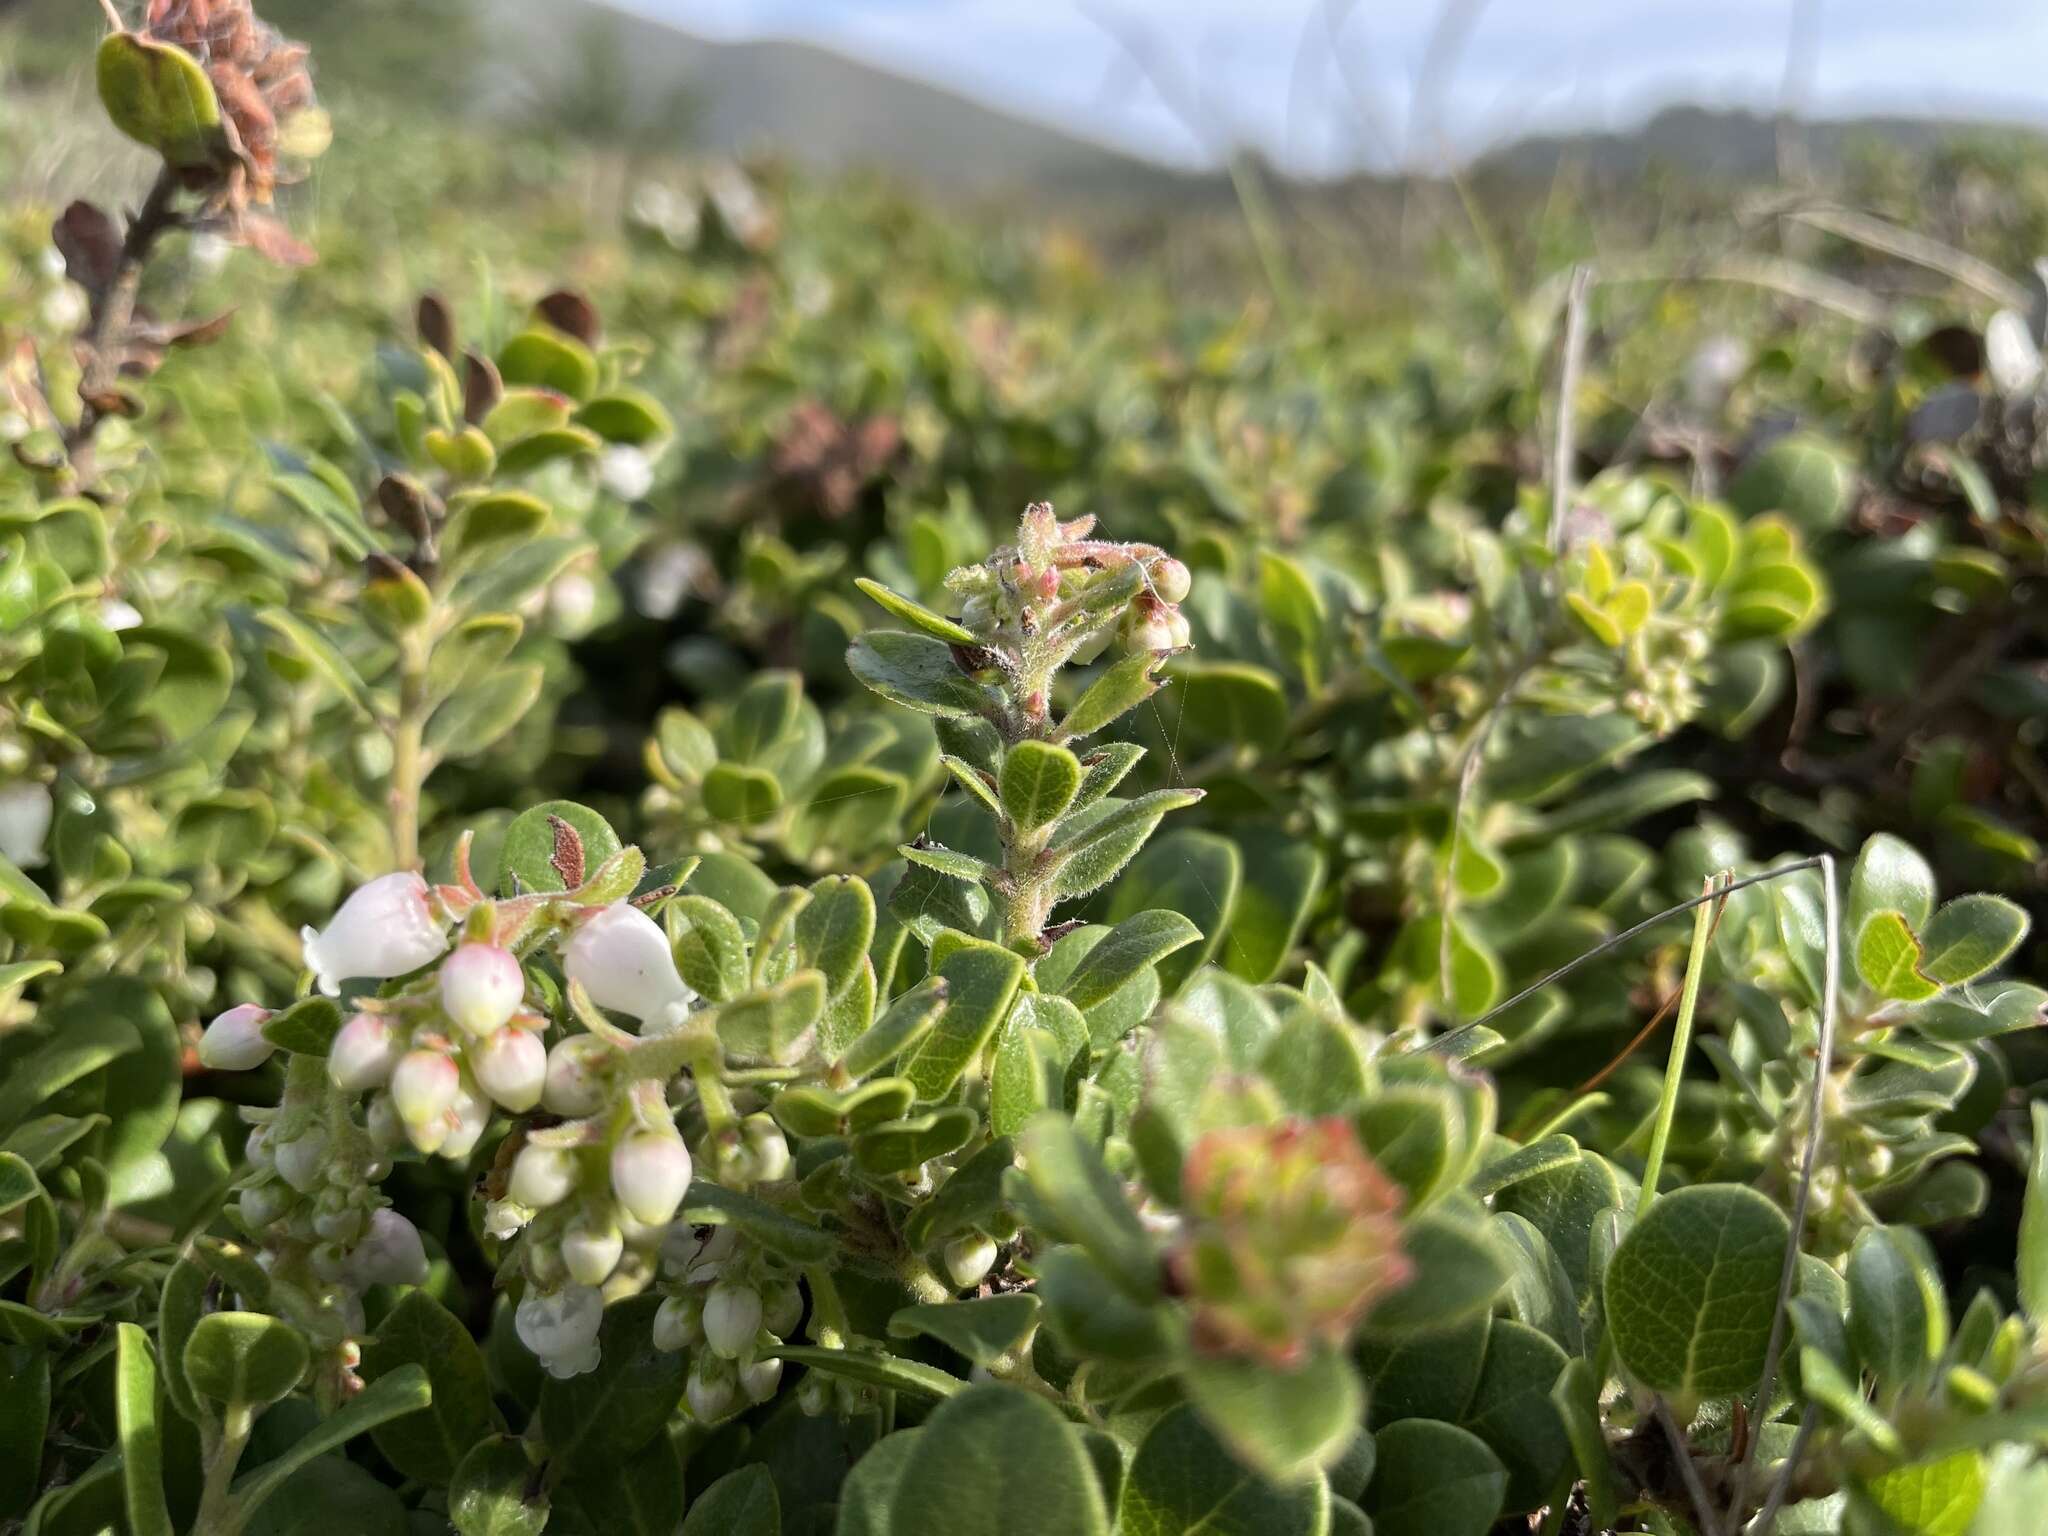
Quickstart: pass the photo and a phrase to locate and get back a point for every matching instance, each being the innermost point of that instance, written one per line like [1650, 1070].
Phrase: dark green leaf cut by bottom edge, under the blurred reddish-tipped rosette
[1187, 1484]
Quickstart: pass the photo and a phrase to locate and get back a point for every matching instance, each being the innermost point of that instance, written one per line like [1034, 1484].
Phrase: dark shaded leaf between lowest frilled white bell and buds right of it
[601, 1418]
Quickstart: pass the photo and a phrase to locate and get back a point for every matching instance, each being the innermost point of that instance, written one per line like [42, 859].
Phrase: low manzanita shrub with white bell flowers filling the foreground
[912, 1134]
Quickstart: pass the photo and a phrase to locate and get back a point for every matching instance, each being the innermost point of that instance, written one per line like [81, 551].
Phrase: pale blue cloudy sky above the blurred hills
[1324, 85]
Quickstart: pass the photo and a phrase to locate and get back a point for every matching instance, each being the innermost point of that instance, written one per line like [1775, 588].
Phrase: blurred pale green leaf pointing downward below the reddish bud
[1285, 1424]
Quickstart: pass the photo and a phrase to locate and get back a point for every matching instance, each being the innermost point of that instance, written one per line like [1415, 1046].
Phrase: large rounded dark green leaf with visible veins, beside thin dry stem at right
[1693, 1289]
